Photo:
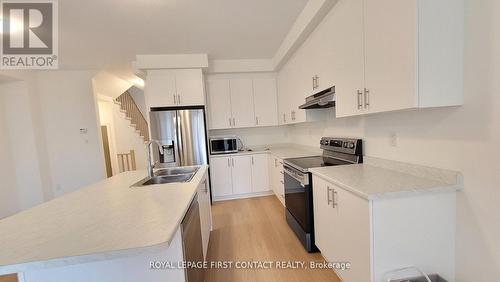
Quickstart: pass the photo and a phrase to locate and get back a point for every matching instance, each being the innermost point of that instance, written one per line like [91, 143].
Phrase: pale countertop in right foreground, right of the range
[378, 178]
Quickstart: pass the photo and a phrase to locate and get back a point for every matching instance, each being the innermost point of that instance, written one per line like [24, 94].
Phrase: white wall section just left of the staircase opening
[68, 105]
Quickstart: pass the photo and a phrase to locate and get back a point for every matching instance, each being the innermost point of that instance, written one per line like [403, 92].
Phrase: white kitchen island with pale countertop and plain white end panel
[107, 227]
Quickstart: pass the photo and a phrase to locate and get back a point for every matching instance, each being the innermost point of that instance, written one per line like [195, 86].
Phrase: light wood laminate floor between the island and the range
[255, 230]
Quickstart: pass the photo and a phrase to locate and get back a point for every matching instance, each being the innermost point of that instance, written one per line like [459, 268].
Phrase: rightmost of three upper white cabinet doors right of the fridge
[265, 102]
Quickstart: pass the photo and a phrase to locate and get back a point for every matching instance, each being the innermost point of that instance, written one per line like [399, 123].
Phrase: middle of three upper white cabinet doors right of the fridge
[242, 102]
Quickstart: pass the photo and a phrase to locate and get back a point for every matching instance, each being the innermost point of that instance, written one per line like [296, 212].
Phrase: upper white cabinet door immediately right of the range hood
[348, 57]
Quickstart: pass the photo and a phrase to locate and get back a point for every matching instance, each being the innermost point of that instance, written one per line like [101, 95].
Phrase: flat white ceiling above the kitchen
[105, 33]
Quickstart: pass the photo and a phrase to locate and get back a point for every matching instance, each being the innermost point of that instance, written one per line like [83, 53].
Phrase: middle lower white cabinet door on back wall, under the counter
[242, 174]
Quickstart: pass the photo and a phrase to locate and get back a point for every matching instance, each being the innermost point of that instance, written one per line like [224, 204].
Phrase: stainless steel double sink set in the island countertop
[169, 175]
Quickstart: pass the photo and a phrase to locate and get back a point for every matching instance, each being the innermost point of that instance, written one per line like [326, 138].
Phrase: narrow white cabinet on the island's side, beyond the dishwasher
[205, 213]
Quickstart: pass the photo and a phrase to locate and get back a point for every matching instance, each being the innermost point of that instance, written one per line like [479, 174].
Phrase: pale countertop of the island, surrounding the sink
[102, 221]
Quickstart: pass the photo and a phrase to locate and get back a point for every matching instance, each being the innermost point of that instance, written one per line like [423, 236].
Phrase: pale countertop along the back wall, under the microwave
[282, 151]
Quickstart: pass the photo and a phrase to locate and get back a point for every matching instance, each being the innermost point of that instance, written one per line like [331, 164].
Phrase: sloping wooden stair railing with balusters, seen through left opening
[132, 113]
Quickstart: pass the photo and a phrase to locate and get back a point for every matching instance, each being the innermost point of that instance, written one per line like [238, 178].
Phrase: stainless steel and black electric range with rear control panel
[298, 183]
